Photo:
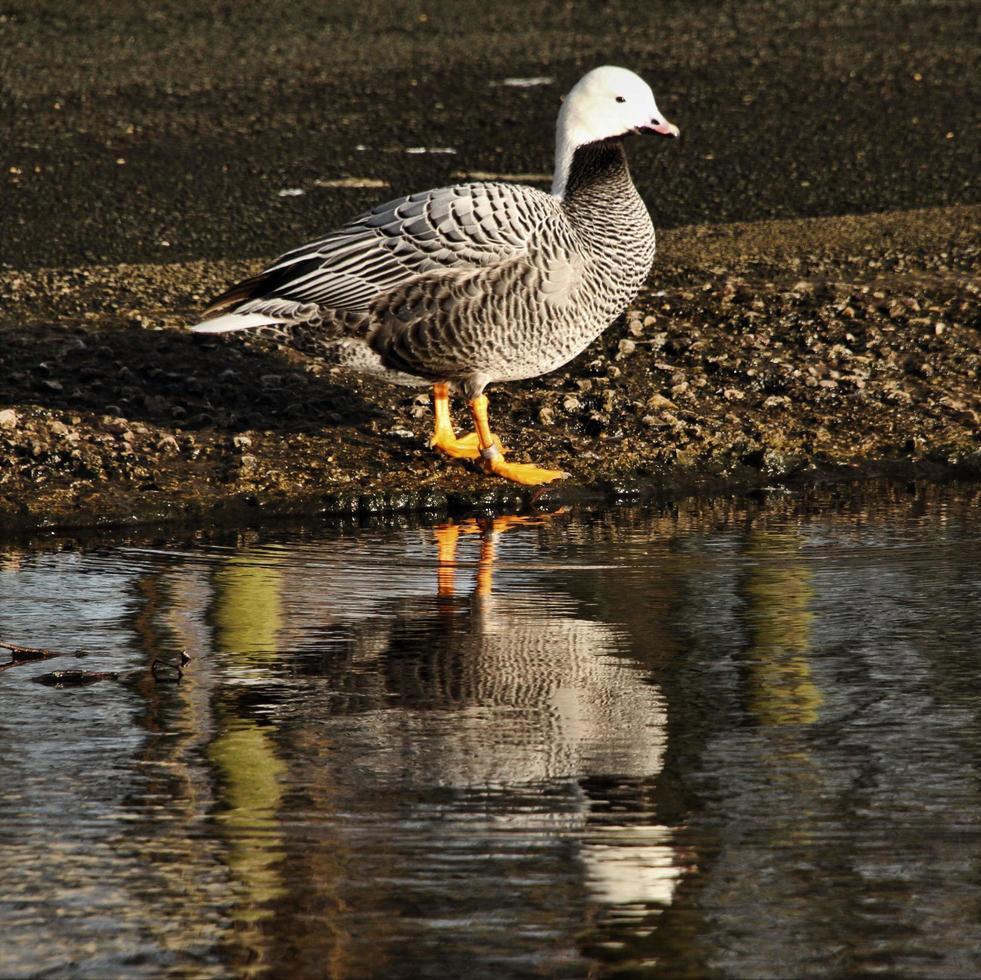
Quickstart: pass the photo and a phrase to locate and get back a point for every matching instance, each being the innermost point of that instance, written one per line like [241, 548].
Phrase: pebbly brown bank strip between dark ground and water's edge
[767, 352]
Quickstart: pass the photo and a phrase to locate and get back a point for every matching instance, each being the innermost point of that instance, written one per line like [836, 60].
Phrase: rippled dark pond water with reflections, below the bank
[722, 738]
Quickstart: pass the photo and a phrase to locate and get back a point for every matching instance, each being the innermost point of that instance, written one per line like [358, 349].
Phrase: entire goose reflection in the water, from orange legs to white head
[534, 696]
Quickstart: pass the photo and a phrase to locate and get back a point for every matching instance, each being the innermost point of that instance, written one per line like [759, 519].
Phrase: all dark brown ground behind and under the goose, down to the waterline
[813, 311]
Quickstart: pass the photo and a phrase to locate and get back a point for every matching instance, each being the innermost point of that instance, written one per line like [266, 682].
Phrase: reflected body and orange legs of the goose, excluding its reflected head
[536, 692]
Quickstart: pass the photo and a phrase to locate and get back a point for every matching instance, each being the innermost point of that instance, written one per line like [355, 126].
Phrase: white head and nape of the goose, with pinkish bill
[604, 103]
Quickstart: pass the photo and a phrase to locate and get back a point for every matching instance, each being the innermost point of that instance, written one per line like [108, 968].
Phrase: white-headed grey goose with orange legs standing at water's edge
[477, 283]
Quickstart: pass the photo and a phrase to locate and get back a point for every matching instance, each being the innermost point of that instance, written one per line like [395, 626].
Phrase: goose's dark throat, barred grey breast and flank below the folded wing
[581, 262]
